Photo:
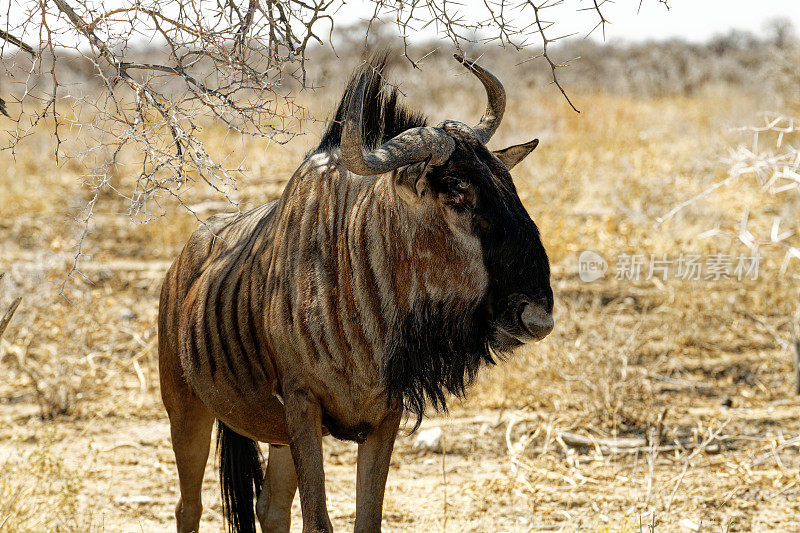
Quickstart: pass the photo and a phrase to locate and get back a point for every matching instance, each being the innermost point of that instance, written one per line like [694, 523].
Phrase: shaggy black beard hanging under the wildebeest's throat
[437, 351]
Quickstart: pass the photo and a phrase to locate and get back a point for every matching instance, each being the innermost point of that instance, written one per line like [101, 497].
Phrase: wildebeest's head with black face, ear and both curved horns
[449, 168]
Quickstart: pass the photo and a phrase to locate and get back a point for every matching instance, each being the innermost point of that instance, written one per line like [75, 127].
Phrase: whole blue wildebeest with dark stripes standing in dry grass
[398, 260]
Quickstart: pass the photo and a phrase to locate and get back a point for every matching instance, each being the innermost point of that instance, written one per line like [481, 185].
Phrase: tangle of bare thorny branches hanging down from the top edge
[159, 69]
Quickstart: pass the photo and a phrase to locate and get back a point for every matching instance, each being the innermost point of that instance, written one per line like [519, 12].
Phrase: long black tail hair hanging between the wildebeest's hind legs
[240, 477]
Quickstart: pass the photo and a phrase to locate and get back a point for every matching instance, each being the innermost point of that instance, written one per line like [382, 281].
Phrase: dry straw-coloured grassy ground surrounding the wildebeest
[696, 375]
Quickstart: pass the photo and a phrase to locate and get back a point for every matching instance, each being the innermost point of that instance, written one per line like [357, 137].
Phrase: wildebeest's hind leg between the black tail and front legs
[274, 507]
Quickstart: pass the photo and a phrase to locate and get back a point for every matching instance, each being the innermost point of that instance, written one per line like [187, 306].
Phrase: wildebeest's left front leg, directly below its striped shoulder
[304, 421]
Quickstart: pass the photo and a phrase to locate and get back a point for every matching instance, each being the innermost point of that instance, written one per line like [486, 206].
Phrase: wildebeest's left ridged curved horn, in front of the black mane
[411, 146]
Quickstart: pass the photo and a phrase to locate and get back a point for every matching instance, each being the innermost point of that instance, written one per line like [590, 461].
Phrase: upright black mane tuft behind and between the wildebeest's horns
[383, 116]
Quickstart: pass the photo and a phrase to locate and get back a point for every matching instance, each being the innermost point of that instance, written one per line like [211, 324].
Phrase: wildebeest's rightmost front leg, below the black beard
[373, 467]
